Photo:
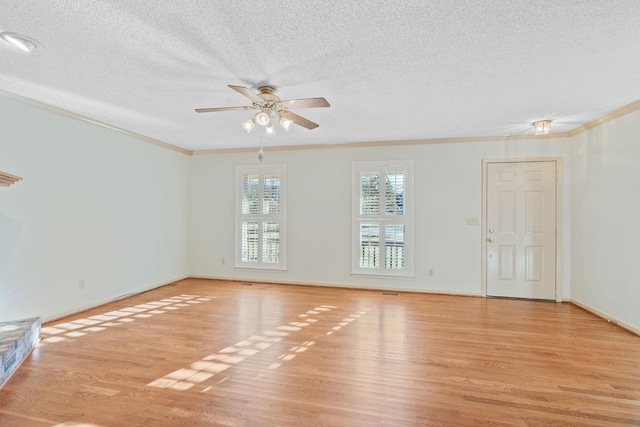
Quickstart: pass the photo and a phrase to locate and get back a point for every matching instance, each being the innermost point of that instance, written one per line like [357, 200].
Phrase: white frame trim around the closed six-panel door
[558, 162]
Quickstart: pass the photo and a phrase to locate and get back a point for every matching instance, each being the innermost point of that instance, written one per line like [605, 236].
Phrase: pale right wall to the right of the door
[606, 219]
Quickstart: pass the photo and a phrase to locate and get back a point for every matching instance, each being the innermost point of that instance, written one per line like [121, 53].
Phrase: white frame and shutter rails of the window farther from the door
[261, 170]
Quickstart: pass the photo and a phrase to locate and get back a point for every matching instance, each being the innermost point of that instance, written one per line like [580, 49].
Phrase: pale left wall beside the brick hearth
[94, 205]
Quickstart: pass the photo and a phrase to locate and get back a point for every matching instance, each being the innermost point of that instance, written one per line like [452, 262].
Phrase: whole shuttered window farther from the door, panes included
[260, 221]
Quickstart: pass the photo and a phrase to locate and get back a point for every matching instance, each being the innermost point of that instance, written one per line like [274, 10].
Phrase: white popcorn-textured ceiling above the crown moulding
[392, 70]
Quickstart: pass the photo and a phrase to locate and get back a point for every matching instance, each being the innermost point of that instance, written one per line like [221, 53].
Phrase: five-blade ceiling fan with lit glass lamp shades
[270, 105]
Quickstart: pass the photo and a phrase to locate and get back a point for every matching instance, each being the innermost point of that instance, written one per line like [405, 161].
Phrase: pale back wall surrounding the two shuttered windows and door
[448, 189]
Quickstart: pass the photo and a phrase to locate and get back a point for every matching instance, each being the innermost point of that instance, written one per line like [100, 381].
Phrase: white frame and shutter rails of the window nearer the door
[383, 219]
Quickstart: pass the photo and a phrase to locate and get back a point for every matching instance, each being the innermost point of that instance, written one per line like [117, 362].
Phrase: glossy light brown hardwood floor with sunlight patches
[209, 353]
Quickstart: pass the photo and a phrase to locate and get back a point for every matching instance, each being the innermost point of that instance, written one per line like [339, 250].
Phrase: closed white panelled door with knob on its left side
[521, 230]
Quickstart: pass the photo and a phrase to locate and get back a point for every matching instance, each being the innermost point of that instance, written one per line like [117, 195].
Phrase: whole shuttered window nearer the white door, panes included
[382, 218]
